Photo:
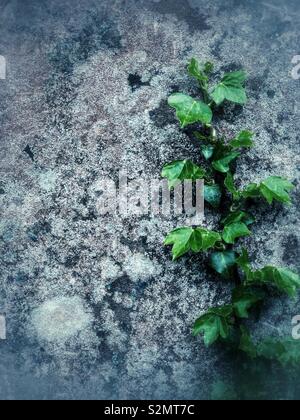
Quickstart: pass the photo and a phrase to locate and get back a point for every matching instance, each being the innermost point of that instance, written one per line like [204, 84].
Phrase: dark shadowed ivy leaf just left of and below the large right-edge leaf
[244, 298]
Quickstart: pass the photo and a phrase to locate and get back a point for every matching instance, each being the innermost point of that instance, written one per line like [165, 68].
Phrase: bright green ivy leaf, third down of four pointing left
[188, 239]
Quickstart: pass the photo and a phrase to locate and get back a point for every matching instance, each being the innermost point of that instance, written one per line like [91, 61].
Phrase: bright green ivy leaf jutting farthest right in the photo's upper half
[276, 188]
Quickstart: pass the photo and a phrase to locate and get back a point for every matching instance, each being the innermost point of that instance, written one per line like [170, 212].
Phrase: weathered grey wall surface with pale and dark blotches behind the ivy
[94, 306]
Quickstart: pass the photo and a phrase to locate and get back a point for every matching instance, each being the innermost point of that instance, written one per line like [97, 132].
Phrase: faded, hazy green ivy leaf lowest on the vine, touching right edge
[285, 351]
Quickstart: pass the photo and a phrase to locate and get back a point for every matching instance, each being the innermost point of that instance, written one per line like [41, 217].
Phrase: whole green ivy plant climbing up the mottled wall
[250, 287]
